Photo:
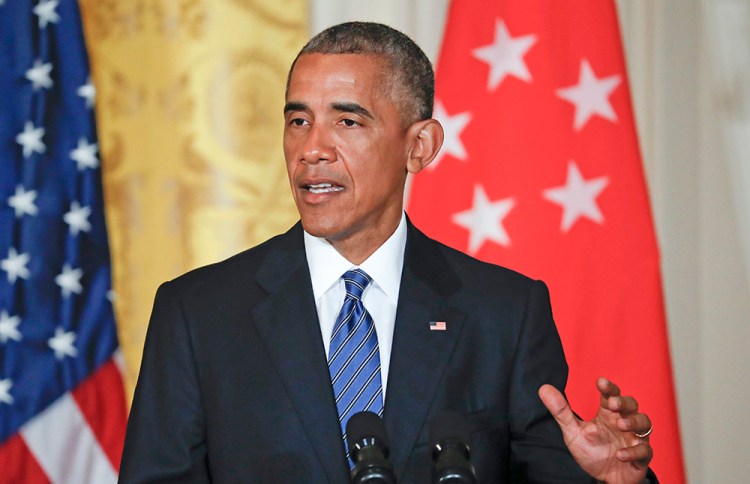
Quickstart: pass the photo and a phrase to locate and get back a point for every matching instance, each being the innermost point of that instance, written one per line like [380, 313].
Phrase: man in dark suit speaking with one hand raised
[235, 384]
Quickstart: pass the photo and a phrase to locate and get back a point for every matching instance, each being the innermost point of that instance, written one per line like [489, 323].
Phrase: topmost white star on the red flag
[505, 56]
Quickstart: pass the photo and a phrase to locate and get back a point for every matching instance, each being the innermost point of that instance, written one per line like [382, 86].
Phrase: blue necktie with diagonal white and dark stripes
[354, 355]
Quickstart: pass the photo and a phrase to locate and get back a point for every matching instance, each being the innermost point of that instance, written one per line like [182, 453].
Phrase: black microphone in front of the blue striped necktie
[368, 448]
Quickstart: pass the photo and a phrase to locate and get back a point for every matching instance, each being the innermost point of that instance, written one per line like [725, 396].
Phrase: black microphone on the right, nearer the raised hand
[450, 451]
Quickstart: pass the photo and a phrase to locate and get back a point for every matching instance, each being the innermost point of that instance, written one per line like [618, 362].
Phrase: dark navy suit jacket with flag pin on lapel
[234, 385]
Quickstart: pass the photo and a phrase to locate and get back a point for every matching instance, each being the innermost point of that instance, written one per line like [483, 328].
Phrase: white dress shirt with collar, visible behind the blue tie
[380, 298]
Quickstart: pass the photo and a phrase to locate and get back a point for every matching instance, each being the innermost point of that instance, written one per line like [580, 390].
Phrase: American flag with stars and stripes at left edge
[62, 404]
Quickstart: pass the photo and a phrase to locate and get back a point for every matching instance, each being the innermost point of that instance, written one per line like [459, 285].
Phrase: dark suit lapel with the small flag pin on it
[419, 355]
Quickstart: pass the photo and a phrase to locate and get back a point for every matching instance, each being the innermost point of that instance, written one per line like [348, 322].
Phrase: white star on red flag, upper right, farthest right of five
[590, 96]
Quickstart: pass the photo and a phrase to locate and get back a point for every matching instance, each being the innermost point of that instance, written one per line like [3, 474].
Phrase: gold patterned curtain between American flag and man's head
[189, 109]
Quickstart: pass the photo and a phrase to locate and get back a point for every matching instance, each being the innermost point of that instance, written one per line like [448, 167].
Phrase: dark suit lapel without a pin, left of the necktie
[288, 325]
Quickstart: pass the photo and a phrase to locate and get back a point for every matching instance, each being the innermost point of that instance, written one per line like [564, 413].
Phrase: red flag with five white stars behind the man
[540, 172]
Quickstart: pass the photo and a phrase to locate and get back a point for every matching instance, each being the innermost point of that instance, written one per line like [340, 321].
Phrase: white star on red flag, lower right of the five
[578, 197]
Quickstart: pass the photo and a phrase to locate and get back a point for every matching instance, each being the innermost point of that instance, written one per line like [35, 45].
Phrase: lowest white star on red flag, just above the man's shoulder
[484, 220]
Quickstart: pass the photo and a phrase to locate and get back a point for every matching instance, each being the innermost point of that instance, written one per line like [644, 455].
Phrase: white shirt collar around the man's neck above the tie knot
[384, 265]
